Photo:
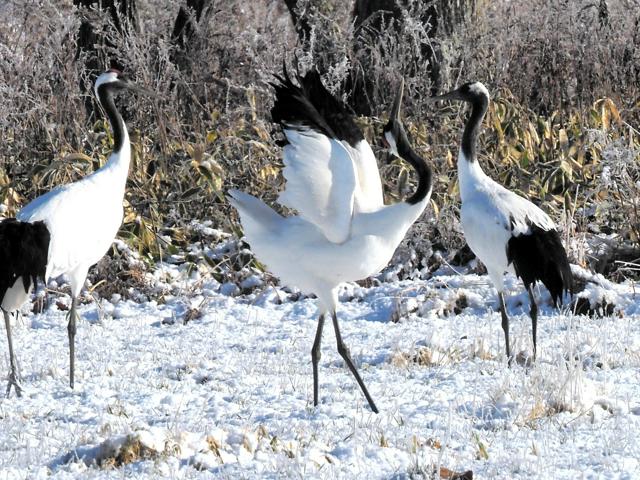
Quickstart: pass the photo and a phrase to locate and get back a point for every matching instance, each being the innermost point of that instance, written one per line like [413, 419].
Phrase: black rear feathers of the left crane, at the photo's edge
[24, 250]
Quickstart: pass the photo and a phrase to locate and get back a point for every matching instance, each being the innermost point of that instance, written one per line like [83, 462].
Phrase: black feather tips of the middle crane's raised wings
[311, 105]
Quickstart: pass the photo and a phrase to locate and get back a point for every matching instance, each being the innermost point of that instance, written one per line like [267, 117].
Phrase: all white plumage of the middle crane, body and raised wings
[343, 231]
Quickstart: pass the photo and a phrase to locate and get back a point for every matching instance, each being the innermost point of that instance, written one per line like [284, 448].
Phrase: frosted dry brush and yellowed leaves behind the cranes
[562, 127]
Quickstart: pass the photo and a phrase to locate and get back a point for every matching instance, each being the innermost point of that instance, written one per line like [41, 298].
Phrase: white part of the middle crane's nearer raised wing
[321, 181]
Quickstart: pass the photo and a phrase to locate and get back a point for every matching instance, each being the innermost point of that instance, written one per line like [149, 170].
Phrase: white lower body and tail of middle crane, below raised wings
[298, 252]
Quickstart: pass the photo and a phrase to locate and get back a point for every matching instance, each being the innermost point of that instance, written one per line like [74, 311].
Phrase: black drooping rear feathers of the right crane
[539, 255]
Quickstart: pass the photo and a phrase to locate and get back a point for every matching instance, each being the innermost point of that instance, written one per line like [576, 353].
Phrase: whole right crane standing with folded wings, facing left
[504, 230]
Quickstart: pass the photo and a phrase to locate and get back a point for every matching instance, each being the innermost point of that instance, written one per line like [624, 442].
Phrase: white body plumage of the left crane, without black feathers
[82, 217]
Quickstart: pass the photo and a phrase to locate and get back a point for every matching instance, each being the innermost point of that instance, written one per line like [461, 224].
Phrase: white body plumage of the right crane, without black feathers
[491, 215]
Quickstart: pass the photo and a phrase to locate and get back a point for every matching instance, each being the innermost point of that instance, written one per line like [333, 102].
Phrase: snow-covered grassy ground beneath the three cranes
[206, 382]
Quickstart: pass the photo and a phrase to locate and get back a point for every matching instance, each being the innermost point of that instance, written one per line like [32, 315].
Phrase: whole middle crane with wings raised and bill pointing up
[343, 232]
